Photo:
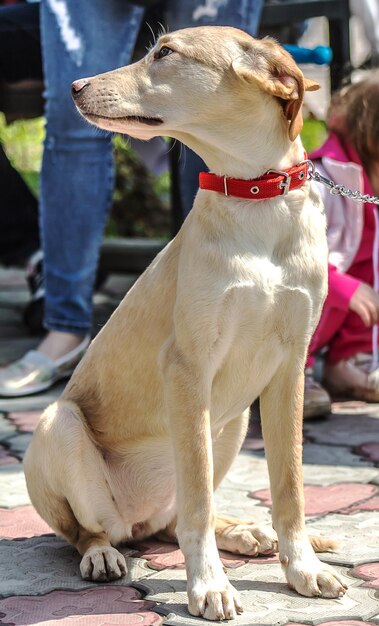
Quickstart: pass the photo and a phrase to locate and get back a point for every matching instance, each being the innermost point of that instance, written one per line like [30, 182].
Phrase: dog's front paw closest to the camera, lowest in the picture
[214, 600]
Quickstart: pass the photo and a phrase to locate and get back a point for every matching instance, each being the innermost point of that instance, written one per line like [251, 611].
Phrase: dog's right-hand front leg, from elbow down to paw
[282, 411]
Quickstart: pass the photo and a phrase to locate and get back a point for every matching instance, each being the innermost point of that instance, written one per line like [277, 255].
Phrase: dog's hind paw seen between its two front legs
[248, 539]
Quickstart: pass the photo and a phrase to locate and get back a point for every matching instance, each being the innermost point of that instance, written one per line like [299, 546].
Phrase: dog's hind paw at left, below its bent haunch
[103, 564]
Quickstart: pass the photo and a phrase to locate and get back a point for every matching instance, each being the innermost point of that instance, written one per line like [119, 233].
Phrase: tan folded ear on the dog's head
[274, 69]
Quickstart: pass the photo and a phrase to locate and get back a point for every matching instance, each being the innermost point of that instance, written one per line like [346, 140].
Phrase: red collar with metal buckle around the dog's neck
[273, 183]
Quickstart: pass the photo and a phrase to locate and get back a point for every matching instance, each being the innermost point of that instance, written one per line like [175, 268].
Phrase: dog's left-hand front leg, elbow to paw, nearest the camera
[188, 395]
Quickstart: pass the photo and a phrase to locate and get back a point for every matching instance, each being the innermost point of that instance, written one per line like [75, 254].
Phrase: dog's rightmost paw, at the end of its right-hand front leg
[318, 580]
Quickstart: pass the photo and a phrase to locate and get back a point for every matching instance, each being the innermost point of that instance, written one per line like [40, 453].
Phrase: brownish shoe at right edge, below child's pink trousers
[354, 378]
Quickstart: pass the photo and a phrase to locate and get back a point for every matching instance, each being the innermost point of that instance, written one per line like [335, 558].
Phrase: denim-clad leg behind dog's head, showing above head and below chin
[244, 14]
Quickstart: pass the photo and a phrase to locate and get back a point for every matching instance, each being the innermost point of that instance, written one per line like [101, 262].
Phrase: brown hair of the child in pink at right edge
[354, 115]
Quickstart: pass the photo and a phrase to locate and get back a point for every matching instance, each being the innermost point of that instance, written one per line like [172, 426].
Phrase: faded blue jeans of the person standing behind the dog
[81, 39]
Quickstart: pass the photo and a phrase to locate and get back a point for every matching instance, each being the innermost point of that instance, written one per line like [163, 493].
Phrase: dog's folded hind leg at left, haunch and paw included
[67, 484]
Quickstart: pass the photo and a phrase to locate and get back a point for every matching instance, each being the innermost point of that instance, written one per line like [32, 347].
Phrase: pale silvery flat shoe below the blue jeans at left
[35, 372]
